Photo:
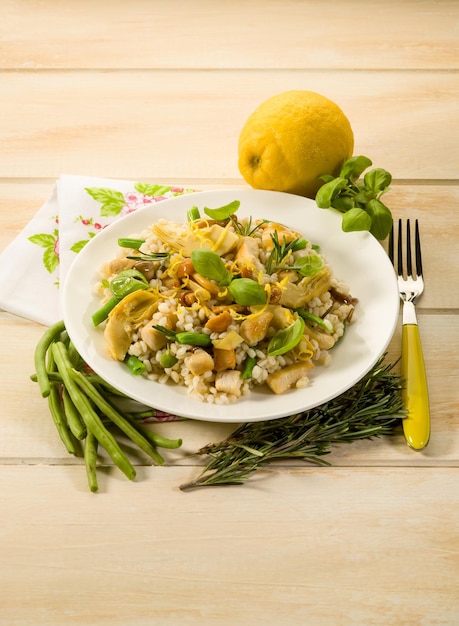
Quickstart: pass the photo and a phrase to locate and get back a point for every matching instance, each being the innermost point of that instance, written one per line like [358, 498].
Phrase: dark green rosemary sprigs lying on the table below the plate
[371, 408]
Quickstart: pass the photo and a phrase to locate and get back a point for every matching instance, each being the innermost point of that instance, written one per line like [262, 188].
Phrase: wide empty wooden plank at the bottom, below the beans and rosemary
[344, 546]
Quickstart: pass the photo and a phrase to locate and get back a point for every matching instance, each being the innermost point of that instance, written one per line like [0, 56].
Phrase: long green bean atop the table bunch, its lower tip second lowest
[91, 419]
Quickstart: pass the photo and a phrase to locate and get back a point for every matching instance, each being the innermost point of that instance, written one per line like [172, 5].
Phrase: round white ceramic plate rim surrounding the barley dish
[358, 259]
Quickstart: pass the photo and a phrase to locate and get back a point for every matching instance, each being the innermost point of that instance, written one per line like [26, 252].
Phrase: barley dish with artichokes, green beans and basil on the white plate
[220, 304]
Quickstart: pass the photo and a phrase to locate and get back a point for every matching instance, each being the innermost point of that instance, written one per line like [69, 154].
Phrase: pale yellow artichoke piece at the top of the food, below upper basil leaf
[213, 237]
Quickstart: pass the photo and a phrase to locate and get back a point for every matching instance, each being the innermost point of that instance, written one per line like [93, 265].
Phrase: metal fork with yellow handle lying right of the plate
[415, 397]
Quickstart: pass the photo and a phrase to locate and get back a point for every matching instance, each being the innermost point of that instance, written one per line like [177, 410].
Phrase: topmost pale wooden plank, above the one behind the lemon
[408, 34]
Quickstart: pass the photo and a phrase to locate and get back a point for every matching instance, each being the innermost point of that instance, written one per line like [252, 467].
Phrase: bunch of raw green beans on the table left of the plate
[82, 408]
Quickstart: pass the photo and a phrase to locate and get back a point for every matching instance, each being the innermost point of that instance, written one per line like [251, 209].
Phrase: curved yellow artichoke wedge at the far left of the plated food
[125, 318]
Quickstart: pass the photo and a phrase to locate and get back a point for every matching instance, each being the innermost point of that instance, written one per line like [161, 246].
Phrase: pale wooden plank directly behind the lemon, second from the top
[85, 123]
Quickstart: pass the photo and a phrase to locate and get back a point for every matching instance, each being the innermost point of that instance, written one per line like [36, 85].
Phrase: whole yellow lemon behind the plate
[291, 139]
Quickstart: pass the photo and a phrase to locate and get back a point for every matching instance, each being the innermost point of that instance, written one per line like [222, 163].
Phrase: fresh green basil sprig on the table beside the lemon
[358, 200]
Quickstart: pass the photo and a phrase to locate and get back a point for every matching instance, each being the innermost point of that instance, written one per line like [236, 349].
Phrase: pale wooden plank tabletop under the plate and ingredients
[158, 91]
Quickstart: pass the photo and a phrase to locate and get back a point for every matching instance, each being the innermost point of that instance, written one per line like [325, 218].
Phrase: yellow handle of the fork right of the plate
[416, 425]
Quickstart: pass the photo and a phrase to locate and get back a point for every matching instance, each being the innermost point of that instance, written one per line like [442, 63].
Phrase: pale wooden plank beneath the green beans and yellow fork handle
[30, 434]
